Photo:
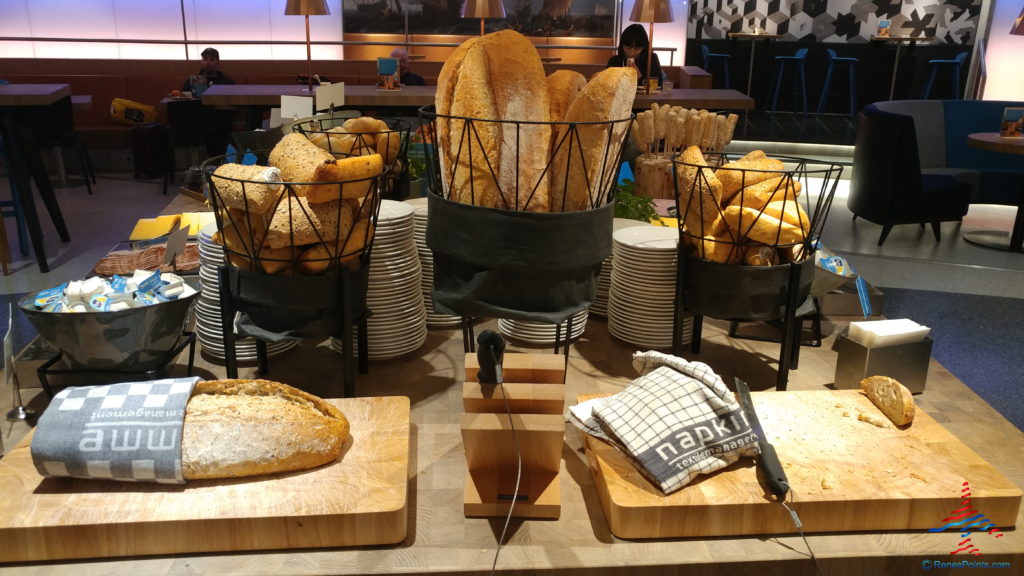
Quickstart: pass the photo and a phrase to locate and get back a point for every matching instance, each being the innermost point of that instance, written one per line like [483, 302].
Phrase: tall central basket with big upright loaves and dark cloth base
[522, 170]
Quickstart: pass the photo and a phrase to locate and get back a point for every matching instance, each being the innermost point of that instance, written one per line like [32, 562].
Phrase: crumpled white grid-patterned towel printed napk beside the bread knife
[677, 421]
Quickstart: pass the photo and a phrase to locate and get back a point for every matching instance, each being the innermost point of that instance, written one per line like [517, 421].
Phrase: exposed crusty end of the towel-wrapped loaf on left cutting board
[249, 428]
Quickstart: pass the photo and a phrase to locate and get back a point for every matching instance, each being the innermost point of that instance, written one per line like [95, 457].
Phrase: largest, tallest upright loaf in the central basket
[498, 77]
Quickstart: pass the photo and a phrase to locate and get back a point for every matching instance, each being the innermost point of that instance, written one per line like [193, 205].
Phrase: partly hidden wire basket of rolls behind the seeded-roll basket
[388, 137]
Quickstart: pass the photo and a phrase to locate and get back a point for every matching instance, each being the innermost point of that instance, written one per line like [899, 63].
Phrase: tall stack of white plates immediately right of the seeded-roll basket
[398, 324]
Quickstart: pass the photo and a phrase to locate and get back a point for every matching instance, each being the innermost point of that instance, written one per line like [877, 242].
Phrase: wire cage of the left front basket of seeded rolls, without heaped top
[274, 228]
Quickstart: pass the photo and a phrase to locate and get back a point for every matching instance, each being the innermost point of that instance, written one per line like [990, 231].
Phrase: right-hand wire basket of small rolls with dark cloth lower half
[748, 227]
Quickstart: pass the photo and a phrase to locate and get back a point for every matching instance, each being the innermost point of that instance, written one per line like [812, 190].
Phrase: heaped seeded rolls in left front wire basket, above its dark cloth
[300, 210]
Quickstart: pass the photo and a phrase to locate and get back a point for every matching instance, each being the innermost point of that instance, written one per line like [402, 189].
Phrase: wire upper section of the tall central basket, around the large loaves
[524, 167]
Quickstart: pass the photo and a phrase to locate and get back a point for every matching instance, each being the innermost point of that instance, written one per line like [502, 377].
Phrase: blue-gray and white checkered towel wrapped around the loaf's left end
[130, 432]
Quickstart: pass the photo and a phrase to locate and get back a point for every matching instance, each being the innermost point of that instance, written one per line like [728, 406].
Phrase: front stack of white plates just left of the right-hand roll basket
[644, 287]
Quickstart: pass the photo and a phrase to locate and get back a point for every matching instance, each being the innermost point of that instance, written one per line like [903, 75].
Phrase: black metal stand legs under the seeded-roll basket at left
[350, 319]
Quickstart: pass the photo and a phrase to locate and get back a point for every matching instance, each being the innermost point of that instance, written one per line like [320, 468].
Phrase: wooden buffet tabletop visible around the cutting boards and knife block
[441, 540]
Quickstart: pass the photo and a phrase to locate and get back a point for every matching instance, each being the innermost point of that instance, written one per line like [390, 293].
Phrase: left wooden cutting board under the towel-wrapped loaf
[359, 501]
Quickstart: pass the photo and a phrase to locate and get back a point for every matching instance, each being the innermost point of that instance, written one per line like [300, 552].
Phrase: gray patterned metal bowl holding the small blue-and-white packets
[132, 341]
